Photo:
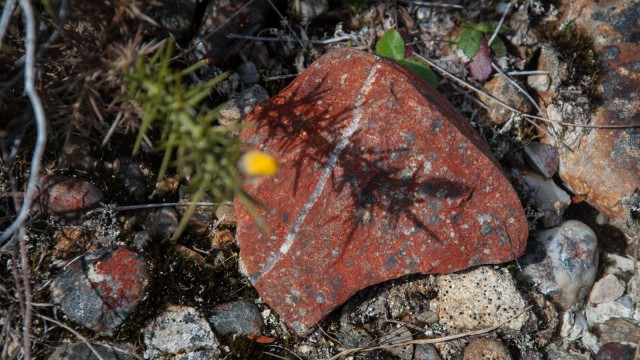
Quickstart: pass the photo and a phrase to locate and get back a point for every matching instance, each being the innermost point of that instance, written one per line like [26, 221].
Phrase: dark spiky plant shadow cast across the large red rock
[376, 179]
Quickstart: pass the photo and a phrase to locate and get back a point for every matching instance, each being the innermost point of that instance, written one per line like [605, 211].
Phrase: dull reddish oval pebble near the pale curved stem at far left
[63, 195]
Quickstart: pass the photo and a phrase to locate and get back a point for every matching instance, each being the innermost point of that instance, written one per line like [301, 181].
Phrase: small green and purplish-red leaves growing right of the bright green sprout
[474, 42]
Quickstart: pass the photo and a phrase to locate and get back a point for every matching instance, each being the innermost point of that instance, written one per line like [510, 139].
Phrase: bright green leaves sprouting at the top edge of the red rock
[391, 45]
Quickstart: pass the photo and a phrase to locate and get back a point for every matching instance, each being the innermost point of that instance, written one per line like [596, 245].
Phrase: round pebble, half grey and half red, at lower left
[100, 289]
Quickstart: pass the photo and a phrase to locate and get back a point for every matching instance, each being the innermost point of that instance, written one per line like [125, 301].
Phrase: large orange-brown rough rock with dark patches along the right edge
[606, 164]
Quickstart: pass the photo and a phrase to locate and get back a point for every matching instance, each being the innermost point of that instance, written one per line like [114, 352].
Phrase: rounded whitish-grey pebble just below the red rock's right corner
[562, 262]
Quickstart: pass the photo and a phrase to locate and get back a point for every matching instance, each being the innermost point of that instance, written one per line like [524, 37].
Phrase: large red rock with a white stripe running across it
[380, 177]
